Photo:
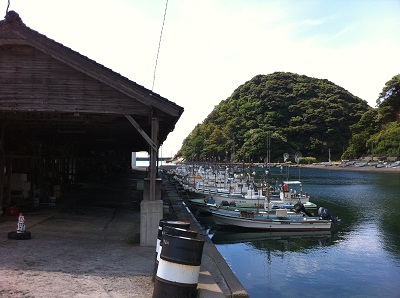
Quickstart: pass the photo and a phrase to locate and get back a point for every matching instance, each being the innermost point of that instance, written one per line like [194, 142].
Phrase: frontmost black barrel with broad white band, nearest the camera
[179, 267]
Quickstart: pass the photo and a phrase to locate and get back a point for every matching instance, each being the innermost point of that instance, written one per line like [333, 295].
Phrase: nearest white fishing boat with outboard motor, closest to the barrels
[282, 220]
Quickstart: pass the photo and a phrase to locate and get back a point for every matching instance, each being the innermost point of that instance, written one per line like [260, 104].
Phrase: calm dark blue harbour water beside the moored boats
[359, 258]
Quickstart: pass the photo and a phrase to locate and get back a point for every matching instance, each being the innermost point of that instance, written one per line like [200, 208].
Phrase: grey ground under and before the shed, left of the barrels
[90, 249]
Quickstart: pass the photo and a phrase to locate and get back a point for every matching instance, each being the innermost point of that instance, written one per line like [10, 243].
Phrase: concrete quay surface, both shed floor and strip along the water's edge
[88, 246]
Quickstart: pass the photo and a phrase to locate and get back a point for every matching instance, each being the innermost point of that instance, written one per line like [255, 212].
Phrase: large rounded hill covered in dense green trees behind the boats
[297, 112]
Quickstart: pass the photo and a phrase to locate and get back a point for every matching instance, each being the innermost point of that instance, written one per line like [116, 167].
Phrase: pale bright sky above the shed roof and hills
[210, 47]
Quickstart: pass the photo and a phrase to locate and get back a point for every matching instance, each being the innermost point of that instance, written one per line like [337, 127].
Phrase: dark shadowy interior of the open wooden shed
[44, 160]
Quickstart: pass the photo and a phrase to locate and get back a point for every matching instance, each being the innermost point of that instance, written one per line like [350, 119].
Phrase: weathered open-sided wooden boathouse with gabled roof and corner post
[64, 116]
